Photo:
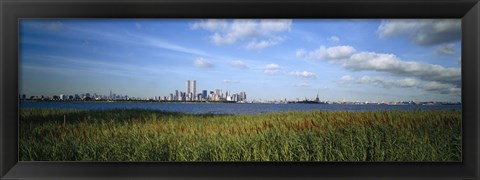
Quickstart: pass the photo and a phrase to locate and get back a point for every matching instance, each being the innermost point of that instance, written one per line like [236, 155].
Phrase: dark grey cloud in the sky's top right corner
[424, 32]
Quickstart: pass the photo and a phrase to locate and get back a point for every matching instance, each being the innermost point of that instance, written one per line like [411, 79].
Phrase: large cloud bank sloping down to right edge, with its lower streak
[429, 77]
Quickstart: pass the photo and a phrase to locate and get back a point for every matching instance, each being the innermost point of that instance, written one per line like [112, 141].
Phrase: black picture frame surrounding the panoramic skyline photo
[467, 10]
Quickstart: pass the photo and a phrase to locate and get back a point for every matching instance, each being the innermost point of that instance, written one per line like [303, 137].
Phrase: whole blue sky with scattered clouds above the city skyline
[353, 60]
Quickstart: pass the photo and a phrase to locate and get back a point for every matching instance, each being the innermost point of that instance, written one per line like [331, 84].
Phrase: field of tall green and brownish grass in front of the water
[144, 135]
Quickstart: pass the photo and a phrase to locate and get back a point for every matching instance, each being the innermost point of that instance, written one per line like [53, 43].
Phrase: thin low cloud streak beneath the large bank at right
[431, 86]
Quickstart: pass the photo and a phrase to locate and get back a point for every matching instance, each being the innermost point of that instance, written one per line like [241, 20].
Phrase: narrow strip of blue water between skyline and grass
[227, 108]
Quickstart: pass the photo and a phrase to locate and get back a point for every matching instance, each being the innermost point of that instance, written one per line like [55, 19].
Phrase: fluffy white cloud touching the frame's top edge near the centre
[230, 32]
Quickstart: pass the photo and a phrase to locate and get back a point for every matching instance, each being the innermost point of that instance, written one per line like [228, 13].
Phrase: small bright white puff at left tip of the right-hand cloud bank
[336, 52]
